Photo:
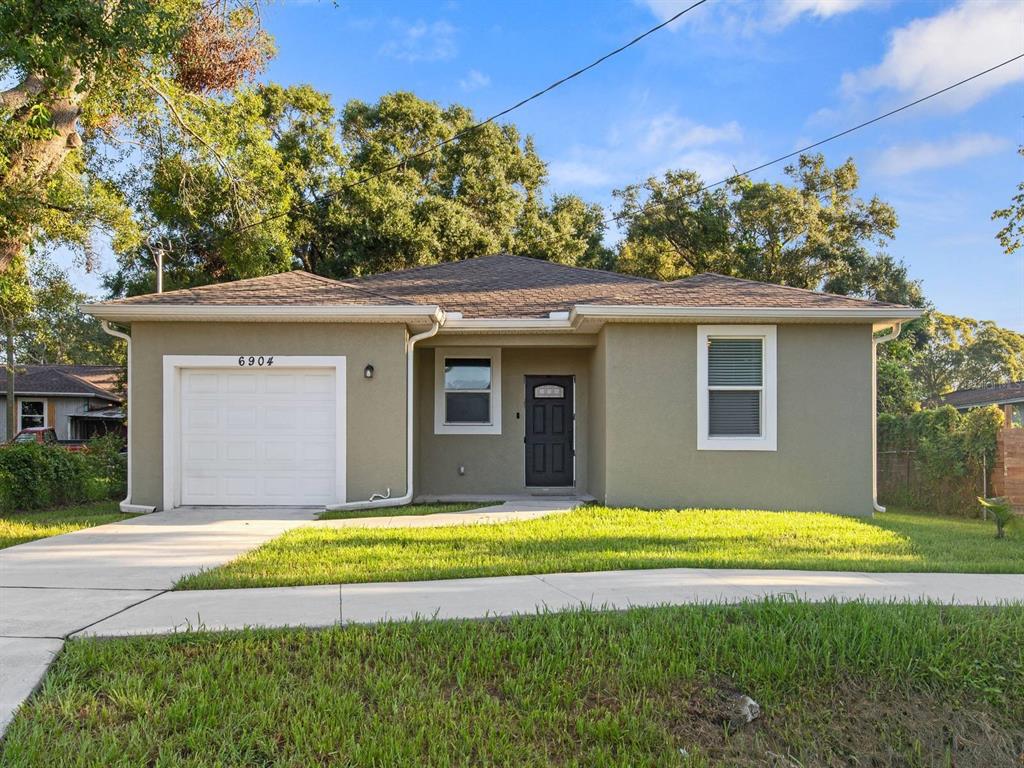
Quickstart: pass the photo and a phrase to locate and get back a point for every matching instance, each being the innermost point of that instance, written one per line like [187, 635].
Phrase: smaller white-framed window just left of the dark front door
[468, 391]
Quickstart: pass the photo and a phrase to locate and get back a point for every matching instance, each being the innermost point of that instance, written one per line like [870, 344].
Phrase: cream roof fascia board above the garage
[262, 313]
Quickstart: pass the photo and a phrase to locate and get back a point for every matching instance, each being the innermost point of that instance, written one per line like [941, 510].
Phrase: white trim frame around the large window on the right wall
[770, 392]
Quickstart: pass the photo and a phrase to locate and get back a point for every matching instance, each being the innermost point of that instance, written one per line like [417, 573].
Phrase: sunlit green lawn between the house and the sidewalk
[604, 539]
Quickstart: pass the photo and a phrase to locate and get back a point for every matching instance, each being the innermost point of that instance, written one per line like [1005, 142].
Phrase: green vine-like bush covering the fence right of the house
[937, 459]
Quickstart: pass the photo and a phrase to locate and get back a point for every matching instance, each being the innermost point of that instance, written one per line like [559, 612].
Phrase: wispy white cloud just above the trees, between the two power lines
[639, 149]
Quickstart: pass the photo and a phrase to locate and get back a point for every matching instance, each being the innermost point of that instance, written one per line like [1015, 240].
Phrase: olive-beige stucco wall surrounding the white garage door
[376, 408]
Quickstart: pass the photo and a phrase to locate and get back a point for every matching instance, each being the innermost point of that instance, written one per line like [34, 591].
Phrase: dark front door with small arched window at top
[549, 432]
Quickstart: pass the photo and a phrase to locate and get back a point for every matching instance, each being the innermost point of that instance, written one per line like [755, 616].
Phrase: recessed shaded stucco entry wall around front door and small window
[495, 464]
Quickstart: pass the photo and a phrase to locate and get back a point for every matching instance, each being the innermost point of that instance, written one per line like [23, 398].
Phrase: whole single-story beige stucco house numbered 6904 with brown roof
[524, 377]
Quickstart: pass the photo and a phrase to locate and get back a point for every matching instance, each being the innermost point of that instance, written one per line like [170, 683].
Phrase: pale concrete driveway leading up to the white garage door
[53, 588]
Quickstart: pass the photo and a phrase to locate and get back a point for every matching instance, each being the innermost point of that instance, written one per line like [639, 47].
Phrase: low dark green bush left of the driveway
[37, 477]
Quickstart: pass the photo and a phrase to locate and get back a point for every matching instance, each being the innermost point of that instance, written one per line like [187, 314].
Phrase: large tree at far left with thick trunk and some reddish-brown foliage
[87, 79]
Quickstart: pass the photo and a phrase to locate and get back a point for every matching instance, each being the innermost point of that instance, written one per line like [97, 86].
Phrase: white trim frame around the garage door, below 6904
[173, 411]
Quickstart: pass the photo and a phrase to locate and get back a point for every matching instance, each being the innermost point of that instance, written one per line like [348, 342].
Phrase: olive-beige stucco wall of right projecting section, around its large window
[824, 461]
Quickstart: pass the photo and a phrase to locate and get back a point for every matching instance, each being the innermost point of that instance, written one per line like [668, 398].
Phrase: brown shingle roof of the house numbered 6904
[500, 286]
